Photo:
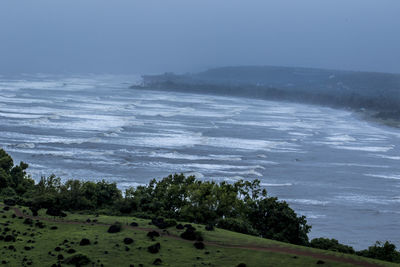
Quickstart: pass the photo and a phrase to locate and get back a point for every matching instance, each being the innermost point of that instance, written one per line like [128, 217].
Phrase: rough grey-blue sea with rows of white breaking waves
[341, 172]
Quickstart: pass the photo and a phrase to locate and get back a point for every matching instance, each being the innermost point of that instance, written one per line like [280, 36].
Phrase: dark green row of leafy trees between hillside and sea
[242, 206]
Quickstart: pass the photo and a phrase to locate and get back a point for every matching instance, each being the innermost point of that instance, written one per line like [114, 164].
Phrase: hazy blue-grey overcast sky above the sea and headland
[129, 36]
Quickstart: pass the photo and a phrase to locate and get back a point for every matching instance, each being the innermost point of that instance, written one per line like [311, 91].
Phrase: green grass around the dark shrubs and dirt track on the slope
[174, 251]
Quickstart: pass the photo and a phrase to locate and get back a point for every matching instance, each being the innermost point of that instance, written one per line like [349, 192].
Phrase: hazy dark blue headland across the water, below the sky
[378, 94]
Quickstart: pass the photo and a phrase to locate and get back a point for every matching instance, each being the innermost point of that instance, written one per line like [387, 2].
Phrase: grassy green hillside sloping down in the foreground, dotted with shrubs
[50, 241]
